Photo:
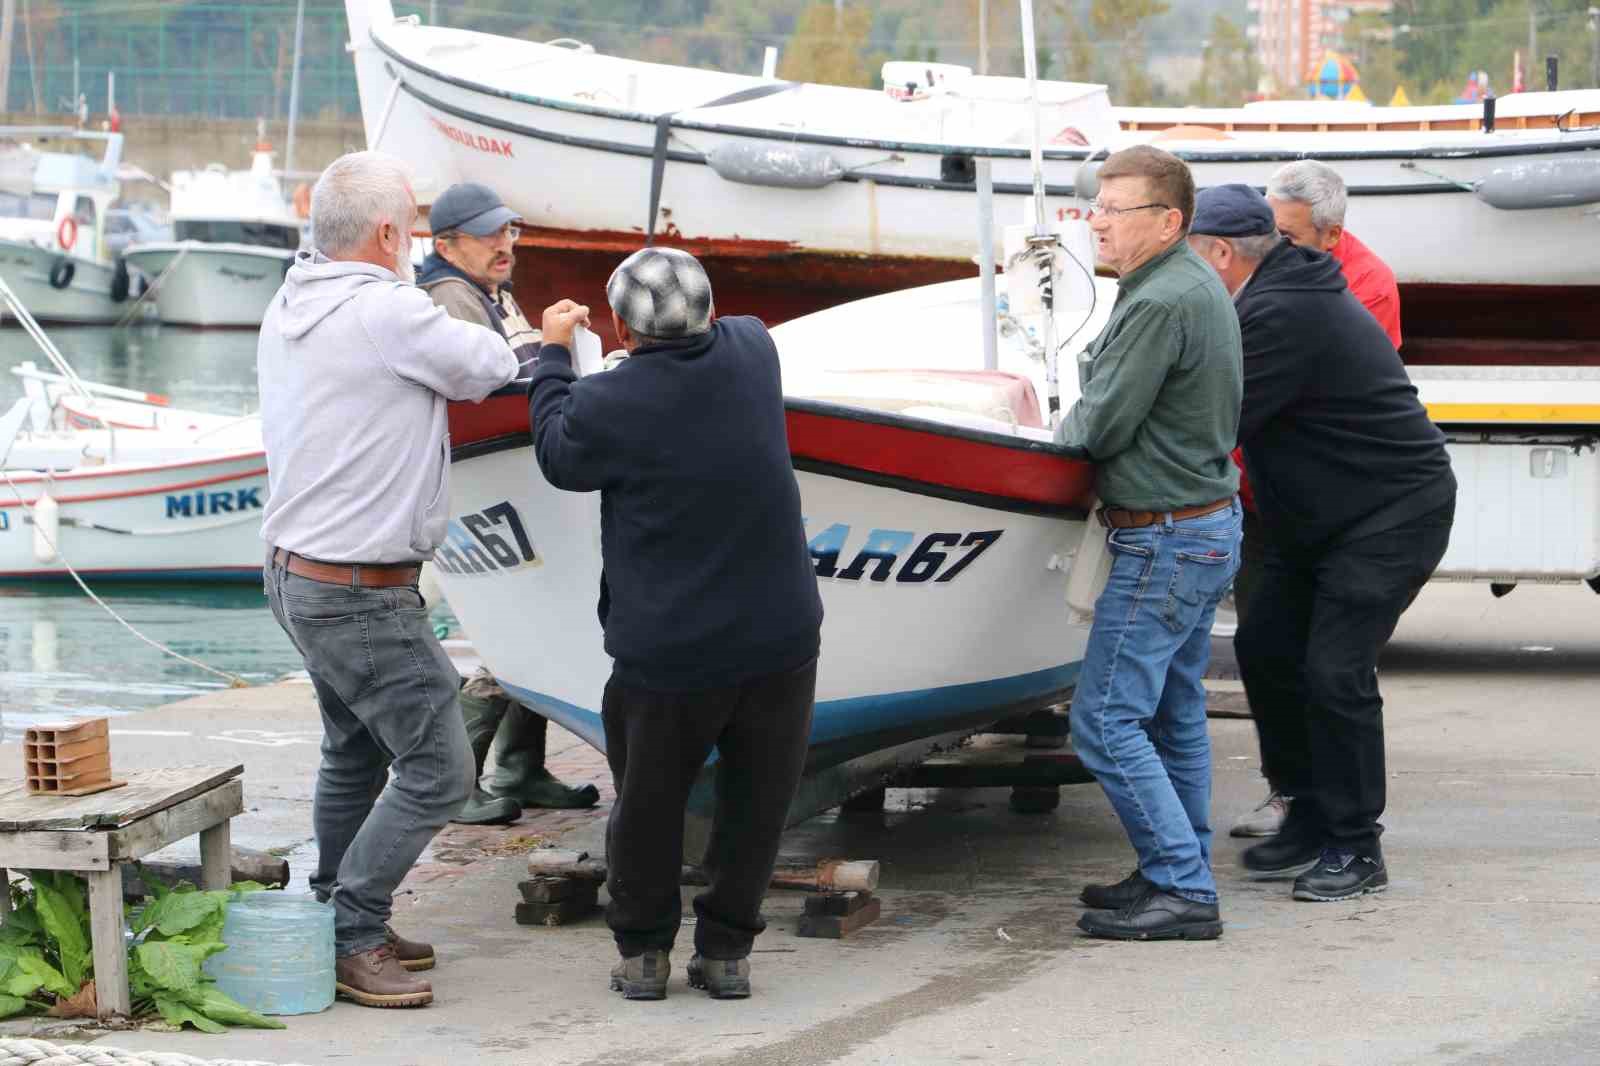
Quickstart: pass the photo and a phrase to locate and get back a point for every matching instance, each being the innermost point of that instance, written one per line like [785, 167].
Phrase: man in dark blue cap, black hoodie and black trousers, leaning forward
[1356, 499]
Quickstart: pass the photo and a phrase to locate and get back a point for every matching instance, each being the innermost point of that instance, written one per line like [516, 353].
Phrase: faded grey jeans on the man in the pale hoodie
[388, 695]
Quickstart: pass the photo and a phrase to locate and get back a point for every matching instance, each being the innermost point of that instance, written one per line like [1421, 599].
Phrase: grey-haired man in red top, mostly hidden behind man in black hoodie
[1308, 202]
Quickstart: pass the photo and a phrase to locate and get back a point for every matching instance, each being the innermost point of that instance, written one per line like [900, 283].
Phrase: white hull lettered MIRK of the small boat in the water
[194, 521]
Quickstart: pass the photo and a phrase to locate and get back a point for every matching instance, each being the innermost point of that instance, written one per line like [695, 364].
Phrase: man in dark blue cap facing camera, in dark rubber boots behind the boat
[470, 276]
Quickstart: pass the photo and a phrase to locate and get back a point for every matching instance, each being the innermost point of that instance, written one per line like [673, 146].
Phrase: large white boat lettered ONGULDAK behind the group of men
[807, 196]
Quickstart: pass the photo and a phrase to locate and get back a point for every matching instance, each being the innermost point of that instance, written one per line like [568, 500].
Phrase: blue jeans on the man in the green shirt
[1138, 715]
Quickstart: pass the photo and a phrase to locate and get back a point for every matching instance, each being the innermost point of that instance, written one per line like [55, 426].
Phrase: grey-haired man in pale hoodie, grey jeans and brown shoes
[356, 369]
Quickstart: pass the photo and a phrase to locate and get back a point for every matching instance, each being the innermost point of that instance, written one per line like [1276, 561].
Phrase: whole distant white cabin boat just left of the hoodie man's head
[234, 238]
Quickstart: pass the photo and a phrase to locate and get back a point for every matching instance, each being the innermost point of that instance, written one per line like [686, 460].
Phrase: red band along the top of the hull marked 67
[900, 452]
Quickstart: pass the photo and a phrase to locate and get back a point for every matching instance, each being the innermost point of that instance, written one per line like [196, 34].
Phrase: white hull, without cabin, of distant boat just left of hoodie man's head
[212, 286]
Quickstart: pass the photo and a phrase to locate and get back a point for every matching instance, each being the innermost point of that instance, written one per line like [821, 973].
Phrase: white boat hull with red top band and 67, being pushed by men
[938, 563]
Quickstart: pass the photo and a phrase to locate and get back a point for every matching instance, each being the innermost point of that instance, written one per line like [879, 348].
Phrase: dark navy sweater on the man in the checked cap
[708, 577]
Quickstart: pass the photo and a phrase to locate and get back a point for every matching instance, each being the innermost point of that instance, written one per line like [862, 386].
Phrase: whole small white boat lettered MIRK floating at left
[119, 486]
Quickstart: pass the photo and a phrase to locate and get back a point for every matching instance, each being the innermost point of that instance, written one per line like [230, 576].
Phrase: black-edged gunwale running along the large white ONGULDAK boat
[794, 137]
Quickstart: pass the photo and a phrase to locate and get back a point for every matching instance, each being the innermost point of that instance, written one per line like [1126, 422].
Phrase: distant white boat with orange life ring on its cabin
[54, 226]
